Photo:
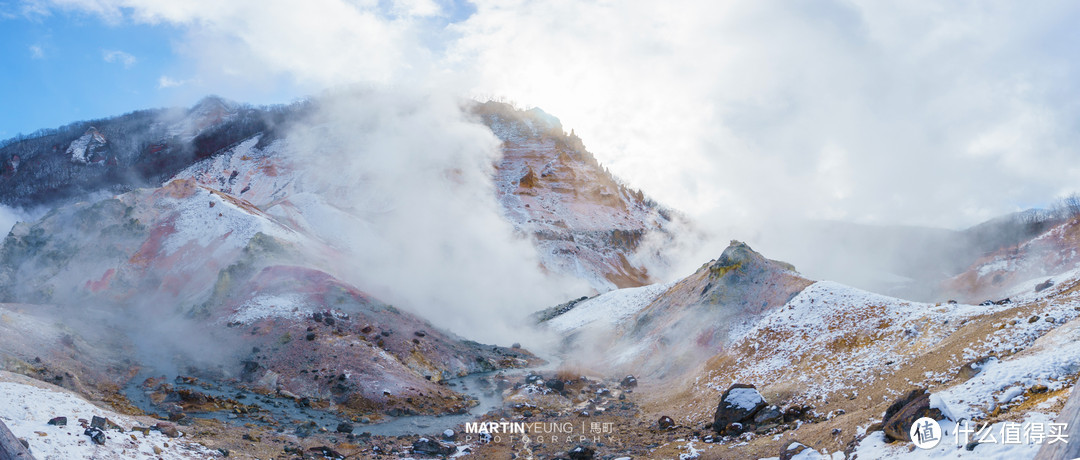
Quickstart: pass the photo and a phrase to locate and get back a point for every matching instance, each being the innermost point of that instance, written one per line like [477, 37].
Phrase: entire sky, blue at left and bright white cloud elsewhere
[736, 113]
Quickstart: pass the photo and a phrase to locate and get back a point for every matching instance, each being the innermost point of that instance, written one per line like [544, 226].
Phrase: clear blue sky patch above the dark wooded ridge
[72, 66]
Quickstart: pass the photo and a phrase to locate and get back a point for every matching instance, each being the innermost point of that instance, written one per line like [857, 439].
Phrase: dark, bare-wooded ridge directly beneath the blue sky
[139, 150]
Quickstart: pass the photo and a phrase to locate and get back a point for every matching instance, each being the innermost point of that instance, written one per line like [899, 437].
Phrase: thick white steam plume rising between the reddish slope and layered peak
[402, 183]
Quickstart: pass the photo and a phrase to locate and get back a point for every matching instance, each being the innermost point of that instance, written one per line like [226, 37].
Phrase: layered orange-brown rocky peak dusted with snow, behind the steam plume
[585, 222]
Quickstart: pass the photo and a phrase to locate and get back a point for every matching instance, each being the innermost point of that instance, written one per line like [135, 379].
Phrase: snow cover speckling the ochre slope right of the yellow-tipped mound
[829, 313]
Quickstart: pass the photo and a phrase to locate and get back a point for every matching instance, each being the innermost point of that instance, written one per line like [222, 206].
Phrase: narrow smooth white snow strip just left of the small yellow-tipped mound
[609, 309]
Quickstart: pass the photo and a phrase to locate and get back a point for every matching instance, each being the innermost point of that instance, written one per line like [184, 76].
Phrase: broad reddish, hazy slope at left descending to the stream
[194, 278]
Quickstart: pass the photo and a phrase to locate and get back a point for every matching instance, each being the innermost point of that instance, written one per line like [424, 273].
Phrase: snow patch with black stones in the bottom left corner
[26, 407]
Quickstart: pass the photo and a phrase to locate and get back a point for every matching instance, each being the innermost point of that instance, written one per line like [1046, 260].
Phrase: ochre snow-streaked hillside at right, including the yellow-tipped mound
[829, 360]
